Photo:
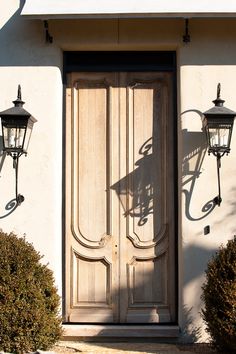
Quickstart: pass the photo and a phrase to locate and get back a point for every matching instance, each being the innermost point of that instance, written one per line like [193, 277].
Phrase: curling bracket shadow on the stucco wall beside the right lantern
[194, 150]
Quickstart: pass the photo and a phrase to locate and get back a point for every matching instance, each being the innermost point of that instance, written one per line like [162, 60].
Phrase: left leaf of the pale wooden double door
[91, 144]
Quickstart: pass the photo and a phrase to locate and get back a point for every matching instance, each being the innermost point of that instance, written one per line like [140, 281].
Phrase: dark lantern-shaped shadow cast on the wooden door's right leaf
[139, 186]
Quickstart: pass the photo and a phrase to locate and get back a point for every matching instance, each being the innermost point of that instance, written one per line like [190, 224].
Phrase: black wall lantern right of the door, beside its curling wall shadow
[218, 124]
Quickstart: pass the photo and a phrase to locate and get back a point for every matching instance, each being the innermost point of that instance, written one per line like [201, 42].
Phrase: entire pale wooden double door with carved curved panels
[120, 232]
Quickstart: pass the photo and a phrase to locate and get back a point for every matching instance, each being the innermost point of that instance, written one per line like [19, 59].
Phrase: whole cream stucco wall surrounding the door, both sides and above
[209, 58]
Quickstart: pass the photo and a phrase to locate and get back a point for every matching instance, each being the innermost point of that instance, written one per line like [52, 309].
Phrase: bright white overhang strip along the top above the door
[47, 9]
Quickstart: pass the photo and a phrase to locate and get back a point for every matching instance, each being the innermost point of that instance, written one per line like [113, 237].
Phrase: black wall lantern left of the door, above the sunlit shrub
[17, 125]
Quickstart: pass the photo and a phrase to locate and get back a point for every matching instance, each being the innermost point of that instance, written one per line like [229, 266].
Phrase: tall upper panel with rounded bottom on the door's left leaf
[92, 212]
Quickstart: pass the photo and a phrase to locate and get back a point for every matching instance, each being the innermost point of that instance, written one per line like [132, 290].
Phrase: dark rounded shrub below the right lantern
[219, 296]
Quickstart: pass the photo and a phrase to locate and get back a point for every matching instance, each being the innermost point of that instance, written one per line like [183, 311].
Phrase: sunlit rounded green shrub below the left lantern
[29, 302]
